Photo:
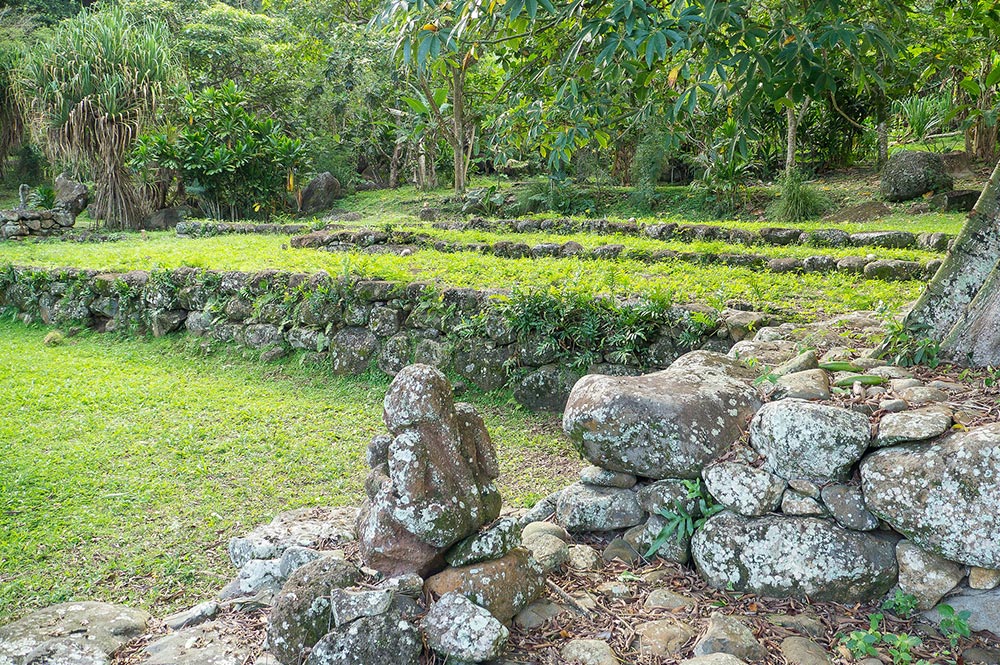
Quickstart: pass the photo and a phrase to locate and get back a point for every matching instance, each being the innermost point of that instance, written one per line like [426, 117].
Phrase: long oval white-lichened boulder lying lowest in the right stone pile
[796, 557]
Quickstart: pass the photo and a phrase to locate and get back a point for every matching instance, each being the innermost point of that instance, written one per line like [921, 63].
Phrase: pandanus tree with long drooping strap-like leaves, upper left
[89, 90]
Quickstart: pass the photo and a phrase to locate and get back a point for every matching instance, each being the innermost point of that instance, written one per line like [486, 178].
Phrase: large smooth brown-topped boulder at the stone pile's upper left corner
[668, 424]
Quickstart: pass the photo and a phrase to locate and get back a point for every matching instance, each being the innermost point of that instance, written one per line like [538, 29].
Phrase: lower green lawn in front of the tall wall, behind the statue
[126, 464]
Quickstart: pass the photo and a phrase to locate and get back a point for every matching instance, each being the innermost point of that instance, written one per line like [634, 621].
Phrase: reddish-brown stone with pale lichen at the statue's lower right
[504, 587]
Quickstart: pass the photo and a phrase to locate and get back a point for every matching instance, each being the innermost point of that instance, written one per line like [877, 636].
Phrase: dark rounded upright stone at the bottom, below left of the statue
[301, 613]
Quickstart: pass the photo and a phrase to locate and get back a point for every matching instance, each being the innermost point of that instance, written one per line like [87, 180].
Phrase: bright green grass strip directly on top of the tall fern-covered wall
[804, 296]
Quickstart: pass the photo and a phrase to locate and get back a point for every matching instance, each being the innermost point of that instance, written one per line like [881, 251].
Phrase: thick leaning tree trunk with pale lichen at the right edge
[961, 306]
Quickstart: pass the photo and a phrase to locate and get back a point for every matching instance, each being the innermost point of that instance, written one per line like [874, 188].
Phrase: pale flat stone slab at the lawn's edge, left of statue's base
[306, 527]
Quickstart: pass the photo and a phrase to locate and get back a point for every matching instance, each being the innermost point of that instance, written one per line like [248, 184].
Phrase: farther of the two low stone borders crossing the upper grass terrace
[831, 237]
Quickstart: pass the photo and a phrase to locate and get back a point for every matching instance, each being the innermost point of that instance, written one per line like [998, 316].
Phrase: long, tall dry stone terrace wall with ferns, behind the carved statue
[352, 326]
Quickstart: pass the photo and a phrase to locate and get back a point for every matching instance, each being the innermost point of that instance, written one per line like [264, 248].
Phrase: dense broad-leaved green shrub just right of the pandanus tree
[237, 163]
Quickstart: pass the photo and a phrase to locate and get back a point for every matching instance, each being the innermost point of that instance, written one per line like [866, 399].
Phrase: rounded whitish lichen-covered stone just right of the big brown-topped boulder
[800, 439]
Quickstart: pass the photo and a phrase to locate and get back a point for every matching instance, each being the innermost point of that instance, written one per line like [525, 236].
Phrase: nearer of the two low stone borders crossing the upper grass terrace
[406, 242]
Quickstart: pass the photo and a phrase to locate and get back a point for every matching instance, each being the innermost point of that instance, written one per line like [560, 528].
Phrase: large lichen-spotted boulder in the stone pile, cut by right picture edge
[943, 496]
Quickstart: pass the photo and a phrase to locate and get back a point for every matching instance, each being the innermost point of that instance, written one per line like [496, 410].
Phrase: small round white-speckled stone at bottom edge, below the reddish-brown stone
[458, 629]
